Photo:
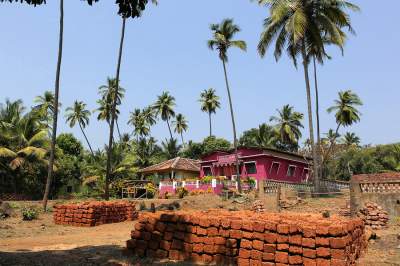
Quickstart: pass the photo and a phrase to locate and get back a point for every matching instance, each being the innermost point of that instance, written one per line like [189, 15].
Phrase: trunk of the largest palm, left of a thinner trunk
[310, 120]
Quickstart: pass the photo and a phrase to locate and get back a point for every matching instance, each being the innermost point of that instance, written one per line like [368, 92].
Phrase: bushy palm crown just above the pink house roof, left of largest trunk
[288, 125]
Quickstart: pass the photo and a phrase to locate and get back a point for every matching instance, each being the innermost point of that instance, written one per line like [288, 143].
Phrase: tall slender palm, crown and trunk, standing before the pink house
[222, 40]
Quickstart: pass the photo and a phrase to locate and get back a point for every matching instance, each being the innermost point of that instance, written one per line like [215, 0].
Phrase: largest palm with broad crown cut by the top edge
[297, 26]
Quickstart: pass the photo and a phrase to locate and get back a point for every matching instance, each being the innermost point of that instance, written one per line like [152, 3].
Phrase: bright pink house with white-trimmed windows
[261, 164]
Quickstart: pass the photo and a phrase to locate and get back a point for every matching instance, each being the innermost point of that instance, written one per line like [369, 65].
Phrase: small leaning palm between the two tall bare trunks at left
[78, 114]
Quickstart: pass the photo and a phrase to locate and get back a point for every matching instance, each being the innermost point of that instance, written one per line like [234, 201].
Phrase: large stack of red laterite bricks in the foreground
[248, 238]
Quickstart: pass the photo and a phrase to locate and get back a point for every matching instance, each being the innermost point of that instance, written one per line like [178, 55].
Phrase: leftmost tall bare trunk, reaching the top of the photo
[55, 113]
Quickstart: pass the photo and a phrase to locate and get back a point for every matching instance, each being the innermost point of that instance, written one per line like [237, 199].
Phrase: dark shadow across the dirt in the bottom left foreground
[82, 256]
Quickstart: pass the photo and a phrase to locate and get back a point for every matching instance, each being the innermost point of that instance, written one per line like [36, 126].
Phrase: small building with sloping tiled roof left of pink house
[175, 169]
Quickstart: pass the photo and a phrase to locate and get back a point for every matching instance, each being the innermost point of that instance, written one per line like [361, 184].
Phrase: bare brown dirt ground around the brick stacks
[41, 242]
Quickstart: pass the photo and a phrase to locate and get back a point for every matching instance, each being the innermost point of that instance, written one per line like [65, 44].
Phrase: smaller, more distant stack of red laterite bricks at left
[94, 213]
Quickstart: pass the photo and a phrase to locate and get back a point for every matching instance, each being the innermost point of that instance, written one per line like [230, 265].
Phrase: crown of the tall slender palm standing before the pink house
[222, 39]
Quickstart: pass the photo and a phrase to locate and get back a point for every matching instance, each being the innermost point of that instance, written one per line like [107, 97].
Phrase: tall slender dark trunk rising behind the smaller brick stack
[114, 104]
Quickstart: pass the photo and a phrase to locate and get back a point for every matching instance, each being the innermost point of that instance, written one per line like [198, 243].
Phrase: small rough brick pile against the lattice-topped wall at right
[374, 216]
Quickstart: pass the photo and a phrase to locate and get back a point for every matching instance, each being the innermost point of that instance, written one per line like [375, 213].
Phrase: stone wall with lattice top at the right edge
[382, 189]
